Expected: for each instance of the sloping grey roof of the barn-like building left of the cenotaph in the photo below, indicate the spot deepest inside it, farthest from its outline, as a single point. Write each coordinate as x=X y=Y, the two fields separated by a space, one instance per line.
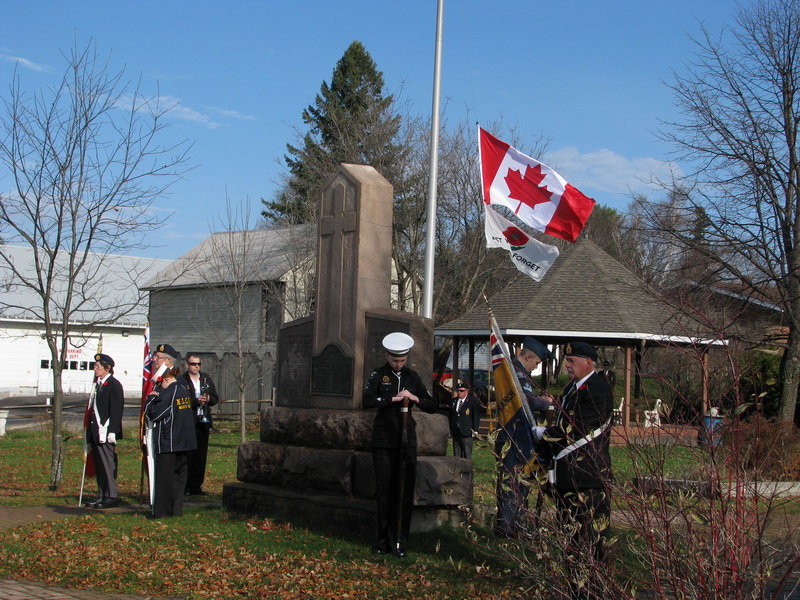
x=246 y=256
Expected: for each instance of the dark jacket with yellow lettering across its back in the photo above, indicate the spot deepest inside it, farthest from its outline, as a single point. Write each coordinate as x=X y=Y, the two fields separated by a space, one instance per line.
x=170 y=409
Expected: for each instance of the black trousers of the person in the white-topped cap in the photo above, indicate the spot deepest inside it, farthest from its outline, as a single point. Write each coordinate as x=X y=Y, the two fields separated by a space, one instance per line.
x=390 y=471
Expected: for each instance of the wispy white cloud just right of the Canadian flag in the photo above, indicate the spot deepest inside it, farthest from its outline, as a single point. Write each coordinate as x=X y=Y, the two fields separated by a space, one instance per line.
x=607 y=171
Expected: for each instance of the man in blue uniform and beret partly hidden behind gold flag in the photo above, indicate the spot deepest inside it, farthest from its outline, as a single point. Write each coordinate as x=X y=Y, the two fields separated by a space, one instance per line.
x=512 y=495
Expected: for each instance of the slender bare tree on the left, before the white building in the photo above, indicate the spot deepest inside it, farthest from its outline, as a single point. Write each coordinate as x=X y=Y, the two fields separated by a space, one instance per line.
x=85 y=167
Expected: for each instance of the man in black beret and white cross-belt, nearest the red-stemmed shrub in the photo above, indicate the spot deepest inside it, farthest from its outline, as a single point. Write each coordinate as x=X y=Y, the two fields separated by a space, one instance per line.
x=578 y=443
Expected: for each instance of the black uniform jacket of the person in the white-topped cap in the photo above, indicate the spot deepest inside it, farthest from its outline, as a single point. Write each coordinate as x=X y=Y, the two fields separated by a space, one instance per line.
x=382 y=385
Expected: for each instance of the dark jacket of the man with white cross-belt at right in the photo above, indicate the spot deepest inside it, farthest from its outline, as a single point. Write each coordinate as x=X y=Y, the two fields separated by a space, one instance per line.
x=582 y=411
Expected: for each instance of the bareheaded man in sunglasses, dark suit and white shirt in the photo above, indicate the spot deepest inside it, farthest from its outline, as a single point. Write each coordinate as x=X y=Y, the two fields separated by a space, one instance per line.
x=204 y=395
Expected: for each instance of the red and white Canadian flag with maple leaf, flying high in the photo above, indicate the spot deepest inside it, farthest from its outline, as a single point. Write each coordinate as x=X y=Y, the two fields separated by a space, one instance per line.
x=532 y=190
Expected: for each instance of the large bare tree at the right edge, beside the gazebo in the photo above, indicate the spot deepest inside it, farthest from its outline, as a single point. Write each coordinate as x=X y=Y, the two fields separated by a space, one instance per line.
x=740 y=101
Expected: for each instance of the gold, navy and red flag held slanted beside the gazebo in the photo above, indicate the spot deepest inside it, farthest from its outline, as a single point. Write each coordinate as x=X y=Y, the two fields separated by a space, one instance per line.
x=517 y=440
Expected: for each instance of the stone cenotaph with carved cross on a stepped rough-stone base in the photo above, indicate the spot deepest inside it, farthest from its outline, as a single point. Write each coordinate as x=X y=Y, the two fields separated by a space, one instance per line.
x=313 y=460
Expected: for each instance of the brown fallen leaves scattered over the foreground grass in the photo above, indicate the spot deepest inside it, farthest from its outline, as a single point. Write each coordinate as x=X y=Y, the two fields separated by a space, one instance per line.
x=165 y=560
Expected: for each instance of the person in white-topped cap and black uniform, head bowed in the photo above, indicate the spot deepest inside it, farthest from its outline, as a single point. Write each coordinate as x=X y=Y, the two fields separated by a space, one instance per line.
x=393 y=389
